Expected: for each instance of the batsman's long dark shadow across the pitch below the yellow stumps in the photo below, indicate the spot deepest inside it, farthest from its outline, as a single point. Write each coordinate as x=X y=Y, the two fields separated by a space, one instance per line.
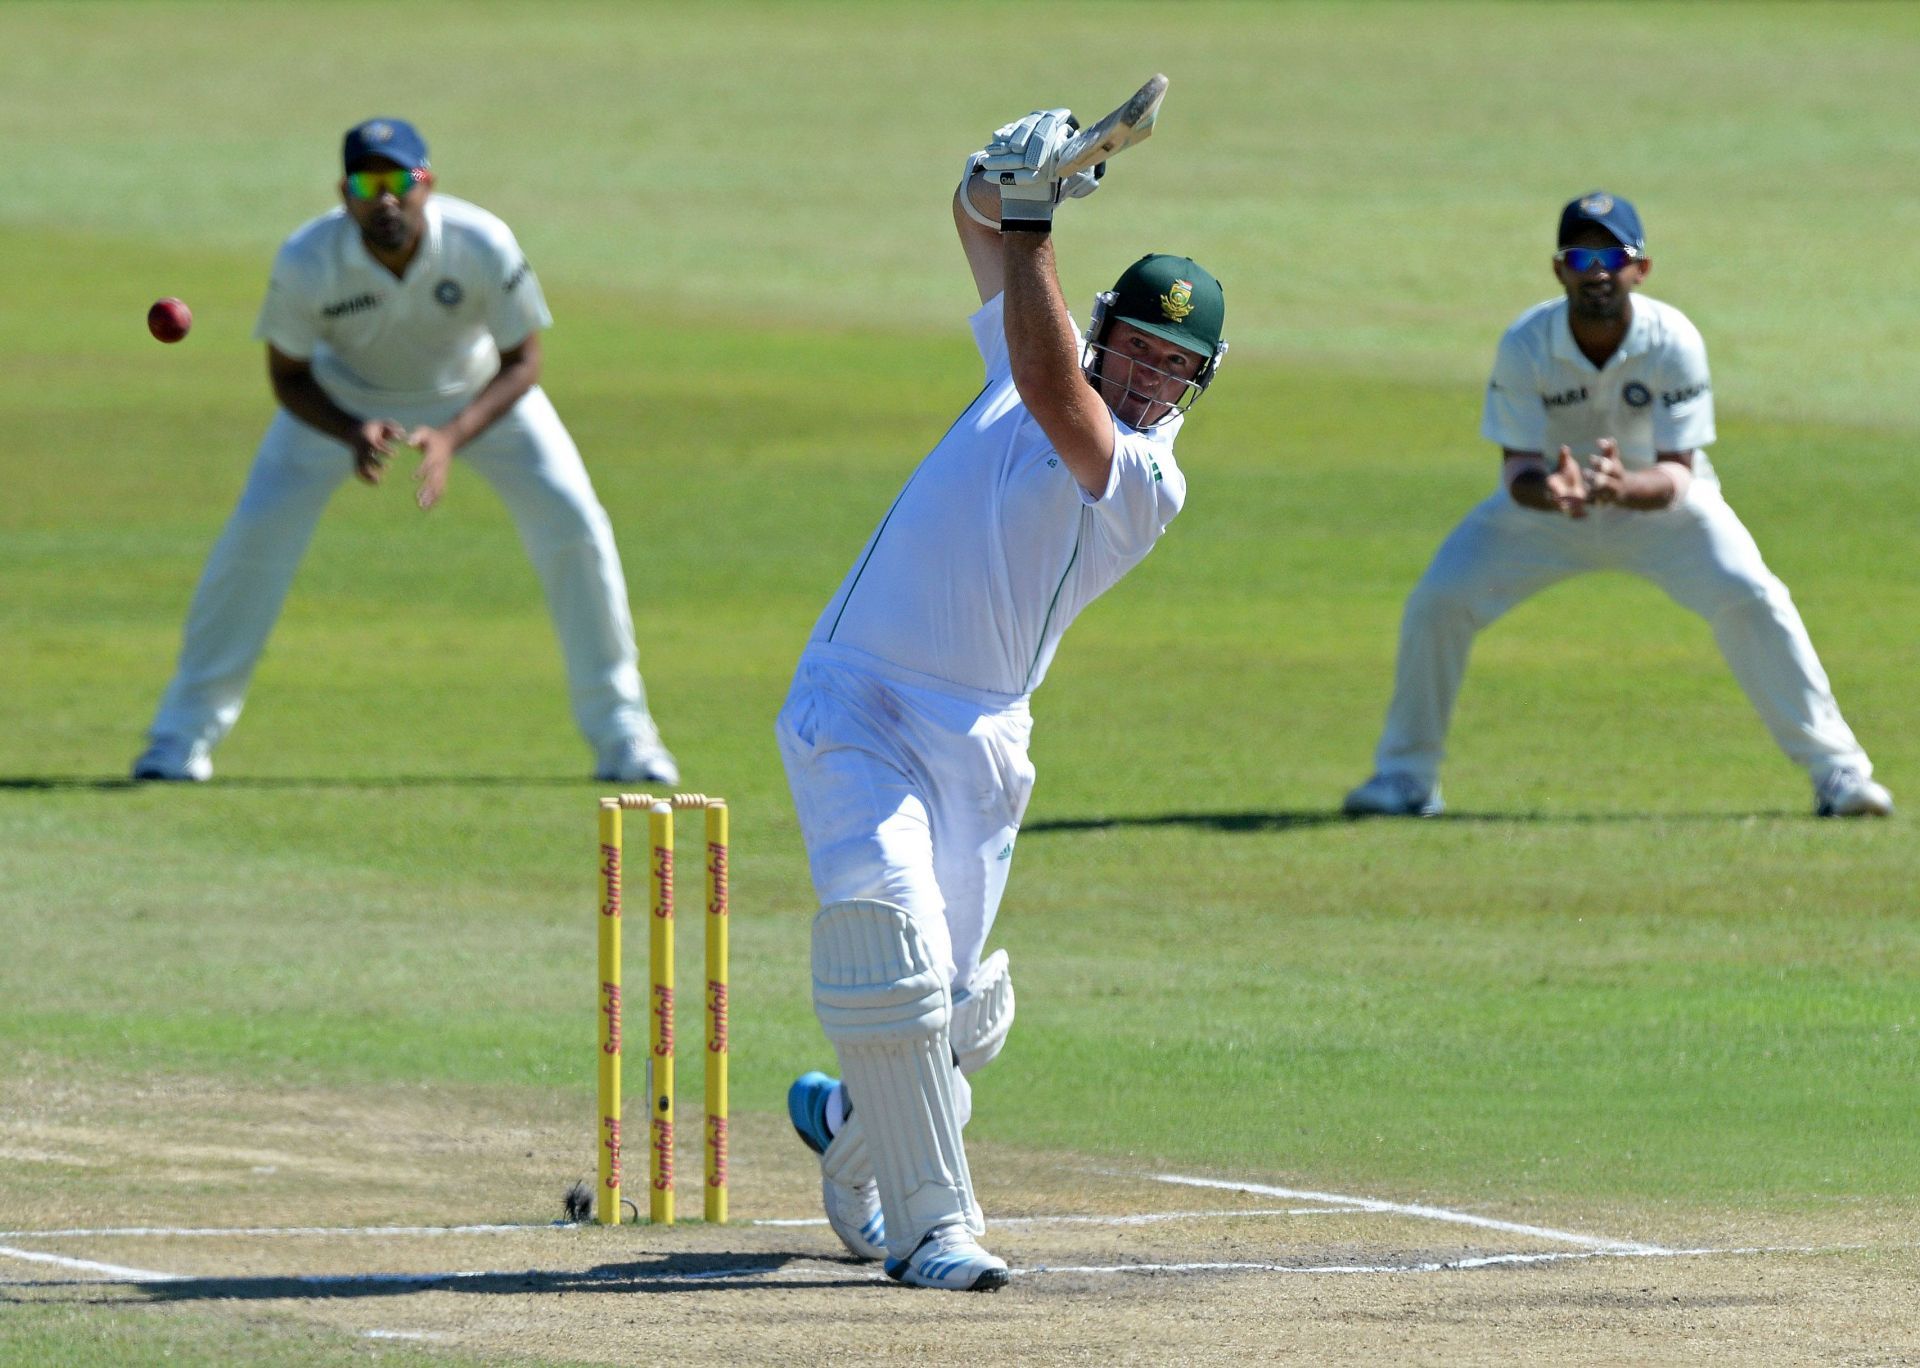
x=663 y=1275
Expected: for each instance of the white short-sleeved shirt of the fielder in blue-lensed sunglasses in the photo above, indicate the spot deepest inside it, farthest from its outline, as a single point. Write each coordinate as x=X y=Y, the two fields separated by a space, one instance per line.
x=1654 y=395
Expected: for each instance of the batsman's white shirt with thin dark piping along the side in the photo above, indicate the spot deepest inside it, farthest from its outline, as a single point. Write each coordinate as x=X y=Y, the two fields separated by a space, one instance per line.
x=994 y=549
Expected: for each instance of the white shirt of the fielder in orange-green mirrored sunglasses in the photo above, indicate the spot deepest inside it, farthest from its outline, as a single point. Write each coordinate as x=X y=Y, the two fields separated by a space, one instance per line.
x=377 y=341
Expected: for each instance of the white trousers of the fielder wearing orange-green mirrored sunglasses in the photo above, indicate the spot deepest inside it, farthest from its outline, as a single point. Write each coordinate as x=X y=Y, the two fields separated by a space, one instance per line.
x=531 y=462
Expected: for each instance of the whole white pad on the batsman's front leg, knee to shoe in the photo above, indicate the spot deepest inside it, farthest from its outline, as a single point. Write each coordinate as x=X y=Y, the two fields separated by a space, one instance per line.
x=886 y=1008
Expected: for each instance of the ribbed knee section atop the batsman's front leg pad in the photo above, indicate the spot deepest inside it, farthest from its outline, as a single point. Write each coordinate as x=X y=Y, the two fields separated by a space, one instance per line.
x=875 y=975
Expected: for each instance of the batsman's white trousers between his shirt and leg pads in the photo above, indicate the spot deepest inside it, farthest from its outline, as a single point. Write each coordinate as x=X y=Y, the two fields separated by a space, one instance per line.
x=907 y=794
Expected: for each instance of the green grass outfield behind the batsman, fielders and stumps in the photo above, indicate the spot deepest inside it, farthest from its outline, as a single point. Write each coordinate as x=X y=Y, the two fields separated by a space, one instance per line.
x=1629 y=973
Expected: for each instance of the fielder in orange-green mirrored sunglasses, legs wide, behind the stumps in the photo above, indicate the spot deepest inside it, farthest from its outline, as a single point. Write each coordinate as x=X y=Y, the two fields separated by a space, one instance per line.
x=408 y=320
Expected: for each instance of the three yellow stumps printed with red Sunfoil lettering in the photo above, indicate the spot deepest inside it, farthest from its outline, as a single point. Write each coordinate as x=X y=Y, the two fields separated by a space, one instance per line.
x=661 y=1004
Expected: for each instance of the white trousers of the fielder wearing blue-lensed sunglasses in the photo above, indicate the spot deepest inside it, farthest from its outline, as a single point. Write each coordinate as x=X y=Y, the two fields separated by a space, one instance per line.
x=1700 y=554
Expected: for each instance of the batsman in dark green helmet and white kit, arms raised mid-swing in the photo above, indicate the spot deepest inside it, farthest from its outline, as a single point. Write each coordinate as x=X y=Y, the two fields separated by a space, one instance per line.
x=905 y=733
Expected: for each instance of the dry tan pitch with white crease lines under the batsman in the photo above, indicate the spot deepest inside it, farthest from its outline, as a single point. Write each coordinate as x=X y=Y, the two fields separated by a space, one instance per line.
x=416 y=1215
